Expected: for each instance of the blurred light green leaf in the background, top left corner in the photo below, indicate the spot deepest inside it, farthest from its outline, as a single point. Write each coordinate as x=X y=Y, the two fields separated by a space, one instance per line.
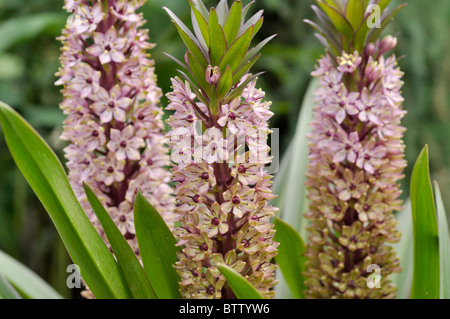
x=19 y=29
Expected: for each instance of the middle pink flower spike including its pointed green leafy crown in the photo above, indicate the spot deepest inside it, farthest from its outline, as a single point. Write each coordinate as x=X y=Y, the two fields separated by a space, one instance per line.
x=222 y=188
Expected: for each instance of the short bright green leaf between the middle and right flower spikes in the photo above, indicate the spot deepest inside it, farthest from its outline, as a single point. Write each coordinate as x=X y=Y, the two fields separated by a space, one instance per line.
x=290 y=257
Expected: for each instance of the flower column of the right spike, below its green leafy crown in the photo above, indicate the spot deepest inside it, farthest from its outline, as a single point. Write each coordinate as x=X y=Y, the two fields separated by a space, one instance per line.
x=356 y=160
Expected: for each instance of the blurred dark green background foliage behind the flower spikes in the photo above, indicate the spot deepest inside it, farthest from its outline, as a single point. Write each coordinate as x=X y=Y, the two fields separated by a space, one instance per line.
x=29 y=59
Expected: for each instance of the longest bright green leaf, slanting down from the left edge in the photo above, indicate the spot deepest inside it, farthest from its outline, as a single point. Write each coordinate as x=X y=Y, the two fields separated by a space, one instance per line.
x=46 y=176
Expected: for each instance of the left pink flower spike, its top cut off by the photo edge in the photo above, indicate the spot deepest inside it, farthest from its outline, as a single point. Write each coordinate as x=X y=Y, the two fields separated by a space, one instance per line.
x=114 y=122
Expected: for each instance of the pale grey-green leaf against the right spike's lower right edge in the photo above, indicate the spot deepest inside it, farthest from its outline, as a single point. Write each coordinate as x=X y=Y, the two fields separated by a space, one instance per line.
x=405 y=252
